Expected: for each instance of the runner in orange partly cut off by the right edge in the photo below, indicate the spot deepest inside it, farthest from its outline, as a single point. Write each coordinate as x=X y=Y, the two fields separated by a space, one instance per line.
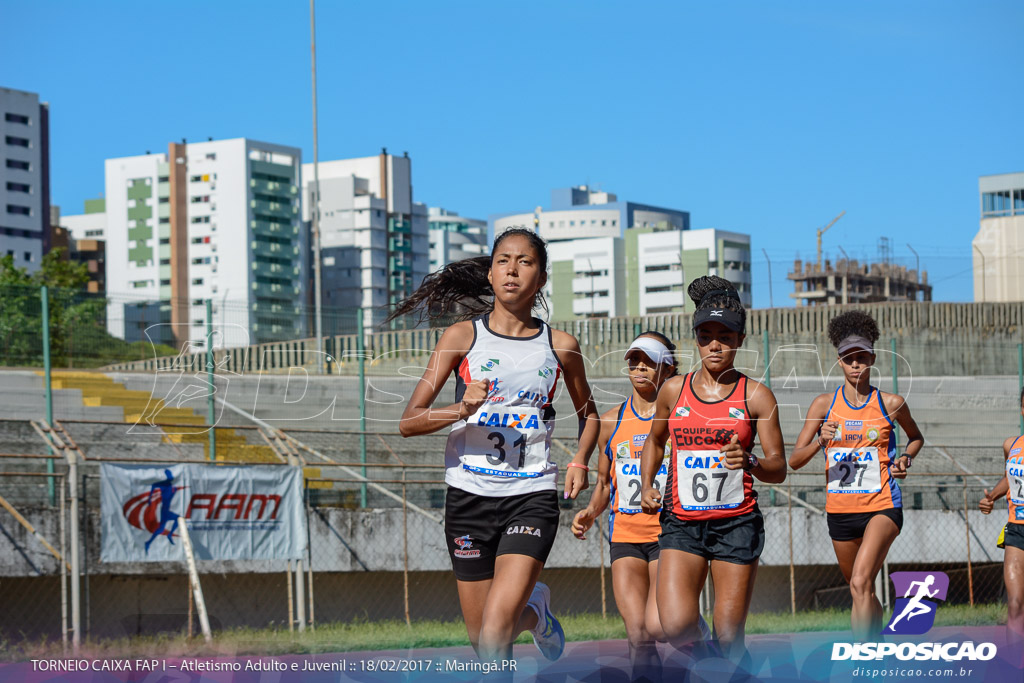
x=1012 y=486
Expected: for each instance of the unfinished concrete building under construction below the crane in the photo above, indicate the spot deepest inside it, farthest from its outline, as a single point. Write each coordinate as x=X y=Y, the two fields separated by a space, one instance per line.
x=851 y=282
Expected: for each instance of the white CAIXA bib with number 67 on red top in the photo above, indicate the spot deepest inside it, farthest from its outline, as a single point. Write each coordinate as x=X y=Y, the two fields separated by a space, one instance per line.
x=704 y=484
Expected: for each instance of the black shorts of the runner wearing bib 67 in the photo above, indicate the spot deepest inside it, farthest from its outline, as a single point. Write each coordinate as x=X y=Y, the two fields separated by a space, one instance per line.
x=738 y=540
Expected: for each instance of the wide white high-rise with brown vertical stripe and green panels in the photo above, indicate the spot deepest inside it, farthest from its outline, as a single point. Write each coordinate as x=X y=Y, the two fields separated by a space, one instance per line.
x=218 y=221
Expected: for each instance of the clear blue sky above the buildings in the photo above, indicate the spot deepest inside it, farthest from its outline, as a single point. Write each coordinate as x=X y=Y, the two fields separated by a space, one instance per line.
x=767 y=118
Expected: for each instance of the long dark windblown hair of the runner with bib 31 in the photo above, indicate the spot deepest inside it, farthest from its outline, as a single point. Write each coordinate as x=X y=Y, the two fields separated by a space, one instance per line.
x=460 y=291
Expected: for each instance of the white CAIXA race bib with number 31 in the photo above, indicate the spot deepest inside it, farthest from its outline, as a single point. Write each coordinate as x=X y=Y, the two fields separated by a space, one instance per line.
x=508 y=442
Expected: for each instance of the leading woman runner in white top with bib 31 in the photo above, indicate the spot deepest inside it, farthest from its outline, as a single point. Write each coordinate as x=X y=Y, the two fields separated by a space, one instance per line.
x=501 y=513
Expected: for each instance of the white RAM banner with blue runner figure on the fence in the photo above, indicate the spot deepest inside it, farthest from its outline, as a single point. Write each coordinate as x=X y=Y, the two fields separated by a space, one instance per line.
x=234 y=514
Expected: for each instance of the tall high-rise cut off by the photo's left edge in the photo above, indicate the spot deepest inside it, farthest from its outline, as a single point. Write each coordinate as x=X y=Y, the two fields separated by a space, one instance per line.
x=25 y=179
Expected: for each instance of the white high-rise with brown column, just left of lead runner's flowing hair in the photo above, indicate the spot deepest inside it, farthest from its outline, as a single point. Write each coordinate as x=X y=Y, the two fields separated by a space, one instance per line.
x=374 y=238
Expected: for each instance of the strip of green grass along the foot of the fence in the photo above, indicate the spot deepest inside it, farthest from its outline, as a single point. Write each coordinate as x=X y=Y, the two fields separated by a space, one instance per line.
x=362 y=635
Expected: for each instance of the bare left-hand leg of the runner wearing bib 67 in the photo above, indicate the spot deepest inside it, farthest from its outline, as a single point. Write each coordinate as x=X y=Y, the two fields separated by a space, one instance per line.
x=680 y=579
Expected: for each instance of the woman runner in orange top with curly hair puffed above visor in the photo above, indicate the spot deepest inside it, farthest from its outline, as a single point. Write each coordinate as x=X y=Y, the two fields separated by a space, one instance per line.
x=856 y=426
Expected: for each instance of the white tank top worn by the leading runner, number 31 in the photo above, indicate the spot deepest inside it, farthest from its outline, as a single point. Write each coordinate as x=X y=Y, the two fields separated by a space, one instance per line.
x=504 y=449
